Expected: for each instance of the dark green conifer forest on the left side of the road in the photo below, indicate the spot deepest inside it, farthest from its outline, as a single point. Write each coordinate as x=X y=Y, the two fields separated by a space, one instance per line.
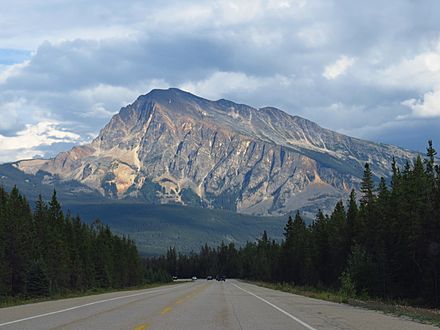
x=45 y=252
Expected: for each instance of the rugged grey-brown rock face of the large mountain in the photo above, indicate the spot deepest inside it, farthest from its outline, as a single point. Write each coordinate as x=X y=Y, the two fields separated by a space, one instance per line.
x=170 y=146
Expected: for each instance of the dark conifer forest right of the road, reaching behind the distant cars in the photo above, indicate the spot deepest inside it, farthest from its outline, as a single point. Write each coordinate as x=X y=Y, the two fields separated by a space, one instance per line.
x=384 y=243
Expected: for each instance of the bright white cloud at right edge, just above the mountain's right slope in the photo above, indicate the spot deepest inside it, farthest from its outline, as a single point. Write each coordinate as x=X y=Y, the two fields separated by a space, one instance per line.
x=428 y=106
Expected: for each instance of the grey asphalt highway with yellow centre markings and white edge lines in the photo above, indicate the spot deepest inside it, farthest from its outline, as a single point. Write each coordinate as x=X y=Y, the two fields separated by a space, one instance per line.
x=198 y=305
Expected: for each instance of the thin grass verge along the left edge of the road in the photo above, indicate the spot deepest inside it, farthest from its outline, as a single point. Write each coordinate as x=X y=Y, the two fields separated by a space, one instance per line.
x=23 y=300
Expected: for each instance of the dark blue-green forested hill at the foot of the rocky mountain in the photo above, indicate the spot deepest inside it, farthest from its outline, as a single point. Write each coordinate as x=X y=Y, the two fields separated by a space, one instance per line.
x=155 y=228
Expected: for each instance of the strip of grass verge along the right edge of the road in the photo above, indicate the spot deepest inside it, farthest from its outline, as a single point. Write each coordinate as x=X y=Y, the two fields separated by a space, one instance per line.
x=418 y=314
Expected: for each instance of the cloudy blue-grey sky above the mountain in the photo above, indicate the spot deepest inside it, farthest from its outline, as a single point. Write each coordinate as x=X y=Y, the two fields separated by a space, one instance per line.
x=368 y=69
